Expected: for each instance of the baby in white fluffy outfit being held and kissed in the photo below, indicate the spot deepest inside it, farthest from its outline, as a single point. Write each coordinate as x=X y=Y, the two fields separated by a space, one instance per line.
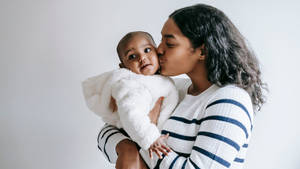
x=125 y=96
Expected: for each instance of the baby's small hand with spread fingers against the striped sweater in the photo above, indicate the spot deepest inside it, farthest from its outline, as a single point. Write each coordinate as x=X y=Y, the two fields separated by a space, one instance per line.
x=159 y=146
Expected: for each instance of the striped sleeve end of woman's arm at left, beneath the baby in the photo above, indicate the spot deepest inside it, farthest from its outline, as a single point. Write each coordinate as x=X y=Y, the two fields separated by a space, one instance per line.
x=108 y=138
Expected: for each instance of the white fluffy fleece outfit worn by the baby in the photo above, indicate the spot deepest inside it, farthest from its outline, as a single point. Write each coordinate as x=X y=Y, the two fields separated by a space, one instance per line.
x=135 y=96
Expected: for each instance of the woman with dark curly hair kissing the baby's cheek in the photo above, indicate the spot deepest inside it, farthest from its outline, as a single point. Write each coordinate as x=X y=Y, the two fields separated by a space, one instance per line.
x=211 y=126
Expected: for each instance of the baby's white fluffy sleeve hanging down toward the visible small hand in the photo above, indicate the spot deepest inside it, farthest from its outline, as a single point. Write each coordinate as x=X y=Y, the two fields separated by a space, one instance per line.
x=134 y=104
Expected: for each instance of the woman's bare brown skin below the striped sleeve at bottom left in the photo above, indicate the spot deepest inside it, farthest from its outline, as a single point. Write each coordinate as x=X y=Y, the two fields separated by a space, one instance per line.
x=128 y=156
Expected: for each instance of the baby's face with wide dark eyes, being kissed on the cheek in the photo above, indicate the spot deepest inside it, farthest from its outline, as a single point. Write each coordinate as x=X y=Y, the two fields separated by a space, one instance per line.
x=139 y=55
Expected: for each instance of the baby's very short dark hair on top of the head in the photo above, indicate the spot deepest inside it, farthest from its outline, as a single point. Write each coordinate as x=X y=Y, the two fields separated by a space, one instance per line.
x=128 y=37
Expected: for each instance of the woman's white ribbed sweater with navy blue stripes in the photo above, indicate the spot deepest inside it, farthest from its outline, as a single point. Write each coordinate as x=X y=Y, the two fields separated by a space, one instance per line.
x=208 y=131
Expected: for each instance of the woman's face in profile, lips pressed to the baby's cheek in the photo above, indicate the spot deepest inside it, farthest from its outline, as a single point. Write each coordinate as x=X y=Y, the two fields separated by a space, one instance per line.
x=176 y=53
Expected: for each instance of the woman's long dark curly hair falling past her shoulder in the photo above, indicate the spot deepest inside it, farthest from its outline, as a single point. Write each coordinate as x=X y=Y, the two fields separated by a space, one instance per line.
x=229 y=60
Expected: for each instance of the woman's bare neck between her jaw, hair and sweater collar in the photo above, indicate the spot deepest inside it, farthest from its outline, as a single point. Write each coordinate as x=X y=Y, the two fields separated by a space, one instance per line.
x=199 y=79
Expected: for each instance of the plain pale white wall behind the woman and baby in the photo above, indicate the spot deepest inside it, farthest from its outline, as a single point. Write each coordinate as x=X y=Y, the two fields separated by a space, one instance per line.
x=48 y=47
